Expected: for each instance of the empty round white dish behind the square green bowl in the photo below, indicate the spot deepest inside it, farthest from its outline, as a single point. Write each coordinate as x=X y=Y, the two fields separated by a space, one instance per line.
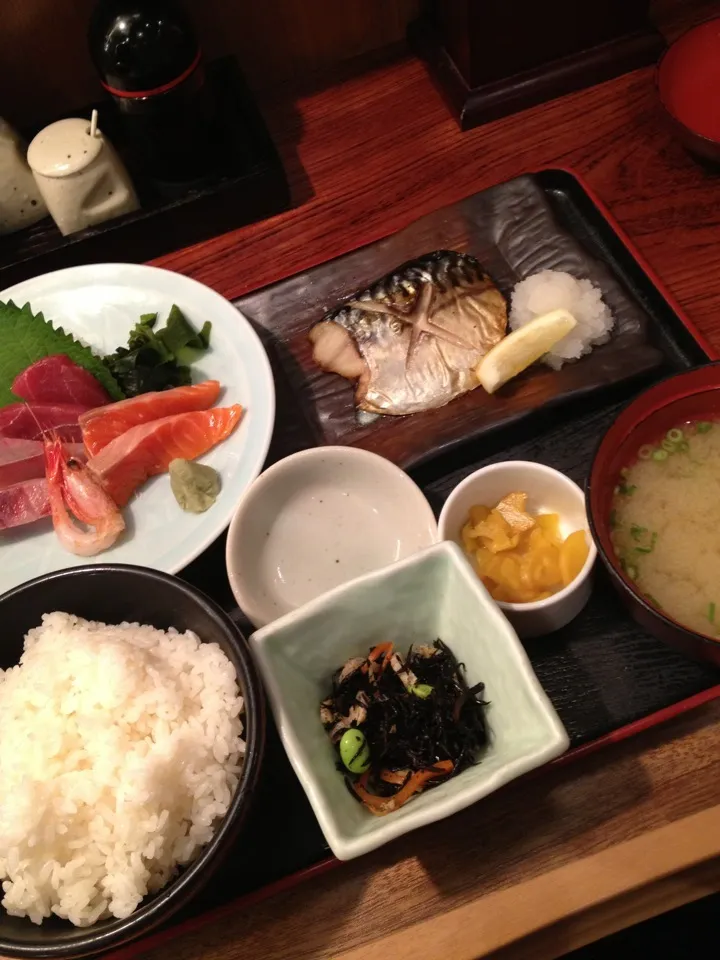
x=317 y=519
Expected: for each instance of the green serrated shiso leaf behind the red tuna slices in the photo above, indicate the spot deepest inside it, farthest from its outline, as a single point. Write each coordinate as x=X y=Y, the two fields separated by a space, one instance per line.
x=26 y=337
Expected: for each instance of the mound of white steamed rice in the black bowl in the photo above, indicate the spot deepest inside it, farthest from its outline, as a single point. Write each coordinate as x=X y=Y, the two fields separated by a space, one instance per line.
x=121 y=748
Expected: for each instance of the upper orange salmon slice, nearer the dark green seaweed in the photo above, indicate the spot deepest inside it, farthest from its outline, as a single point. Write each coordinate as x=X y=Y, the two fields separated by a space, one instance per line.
x=103 y=424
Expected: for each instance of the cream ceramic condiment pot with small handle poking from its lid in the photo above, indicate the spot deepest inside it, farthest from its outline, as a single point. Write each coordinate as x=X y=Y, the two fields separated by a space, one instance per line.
x=80 y=175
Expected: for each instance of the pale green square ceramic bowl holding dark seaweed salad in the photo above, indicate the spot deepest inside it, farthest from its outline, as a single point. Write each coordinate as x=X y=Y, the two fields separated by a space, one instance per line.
x=434 y=594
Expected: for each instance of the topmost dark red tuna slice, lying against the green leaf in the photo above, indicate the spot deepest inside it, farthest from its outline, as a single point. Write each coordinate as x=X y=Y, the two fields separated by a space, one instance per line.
x=57 y=379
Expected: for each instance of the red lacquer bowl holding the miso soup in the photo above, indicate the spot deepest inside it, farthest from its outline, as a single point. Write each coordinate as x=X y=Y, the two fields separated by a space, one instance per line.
x=693 y=395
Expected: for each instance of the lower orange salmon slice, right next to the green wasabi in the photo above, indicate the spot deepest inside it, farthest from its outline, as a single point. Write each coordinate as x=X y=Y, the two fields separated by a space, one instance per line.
x=147 y=449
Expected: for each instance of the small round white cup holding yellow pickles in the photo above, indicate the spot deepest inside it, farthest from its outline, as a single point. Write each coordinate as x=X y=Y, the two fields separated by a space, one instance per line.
x=549 y=491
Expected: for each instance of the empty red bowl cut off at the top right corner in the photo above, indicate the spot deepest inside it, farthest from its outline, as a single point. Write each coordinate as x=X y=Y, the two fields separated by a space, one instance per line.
x=688 y=84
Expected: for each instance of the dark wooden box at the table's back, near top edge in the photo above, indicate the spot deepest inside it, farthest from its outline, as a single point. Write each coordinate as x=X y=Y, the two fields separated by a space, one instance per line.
x=494 y=57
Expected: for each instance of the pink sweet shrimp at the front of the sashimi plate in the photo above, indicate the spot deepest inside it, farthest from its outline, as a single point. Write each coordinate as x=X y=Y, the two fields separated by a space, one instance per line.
x=74 y=493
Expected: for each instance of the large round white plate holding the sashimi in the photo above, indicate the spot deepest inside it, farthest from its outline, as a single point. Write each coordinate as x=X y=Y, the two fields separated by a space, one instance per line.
x=99 y=304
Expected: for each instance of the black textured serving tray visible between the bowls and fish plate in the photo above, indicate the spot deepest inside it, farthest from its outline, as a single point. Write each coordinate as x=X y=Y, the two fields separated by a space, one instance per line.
x=601 y=671
